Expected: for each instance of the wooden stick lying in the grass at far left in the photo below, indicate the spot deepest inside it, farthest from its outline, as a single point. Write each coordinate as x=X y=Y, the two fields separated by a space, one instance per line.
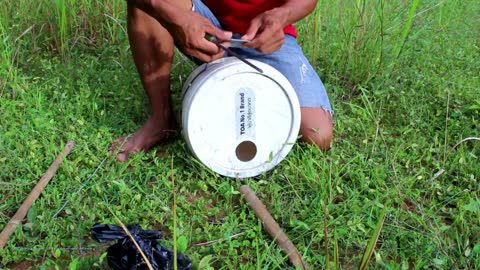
x=22 y=211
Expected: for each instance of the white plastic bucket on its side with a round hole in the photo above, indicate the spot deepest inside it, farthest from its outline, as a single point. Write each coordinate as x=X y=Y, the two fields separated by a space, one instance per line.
x=237 y=121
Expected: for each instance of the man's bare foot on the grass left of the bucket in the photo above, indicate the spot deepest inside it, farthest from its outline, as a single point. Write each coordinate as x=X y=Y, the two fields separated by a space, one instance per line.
x=149 y=135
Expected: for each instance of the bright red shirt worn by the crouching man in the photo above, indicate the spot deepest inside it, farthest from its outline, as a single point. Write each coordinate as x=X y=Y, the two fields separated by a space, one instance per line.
x=235 y=15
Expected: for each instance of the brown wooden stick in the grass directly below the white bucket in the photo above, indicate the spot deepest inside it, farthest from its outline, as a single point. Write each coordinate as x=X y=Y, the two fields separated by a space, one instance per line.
x=272 y=227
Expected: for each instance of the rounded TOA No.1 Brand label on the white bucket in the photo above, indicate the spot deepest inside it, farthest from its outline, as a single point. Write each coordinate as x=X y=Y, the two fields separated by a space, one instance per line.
x=245 y=113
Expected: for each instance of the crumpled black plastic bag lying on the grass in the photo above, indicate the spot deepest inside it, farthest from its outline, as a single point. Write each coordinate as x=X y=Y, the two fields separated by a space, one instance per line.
x=124 y=255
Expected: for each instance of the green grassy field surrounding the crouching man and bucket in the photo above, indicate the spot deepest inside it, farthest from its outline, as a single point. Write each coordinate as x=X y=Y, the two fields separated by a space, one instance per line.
x=404 y=80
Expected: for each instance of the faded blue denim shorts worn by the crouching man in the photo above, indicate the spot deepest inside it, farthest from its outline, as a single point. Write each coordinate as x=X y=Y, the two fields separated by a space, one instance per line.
x=289 y=60
